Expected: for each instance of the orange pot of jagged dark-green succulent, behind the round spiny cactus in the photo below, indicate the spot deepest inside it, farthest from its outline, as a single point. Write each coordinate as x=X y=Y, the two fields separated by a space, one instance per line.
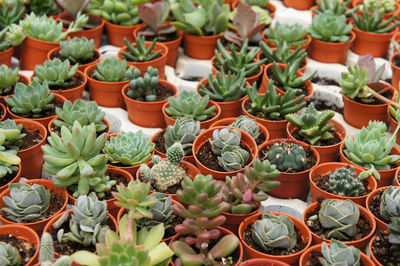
x=328 y=153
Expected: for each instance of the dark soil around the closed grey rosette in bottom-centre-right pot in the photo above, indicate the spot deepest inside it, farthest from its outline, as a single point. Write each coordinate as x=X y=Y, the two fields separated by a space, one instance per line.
x=300 y=245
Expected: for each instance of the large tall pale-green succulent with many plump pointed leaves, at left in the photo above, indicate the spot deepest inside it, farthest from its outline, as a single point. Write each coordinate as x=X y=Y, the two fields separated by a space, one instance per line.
x=75 y=160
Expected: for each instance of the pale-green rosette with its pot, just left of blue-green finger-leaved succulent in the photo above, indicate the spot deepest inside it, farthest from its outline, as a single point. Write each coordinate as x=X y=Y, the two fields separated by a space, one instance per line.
x=106 y=80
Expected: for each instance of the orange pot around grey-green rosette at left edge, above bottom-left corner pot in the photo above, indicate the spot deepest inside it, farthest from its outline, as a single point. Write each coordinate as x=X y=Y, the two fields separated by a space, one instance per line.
x=37 y=226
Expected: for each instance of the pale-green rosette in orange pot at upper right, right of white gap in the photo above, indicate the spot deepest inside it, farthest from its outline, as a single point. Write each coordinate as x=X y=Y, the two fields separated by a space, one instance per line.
x=331 y=38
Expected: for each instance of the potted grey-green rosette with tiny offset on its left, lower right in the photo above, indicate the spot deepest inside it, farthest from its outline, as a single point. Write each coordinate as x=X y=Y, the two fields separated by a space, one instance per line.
x=341 y=220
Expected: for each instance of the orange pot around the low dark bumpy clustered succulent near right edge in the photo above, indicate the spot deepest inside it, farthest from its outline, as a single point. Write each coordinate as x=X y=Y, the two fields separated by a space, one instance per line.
x=323 y=169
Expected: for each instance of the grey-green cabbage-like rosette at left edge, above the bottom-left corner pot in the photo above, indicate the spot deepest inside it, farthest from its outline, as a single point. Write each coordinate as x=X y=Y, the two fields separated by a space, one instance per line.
x=26 y=203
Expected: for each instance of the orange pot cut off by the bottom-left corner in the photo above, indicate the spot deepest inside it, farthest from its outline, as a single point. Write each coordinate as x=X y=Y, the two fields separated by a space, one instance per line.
x=23 y=233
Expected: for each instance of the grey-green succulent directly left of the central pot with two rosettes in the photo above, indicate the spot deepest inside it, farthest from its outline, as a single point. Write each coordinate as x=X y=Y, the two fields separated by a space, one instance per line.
x=184 y=131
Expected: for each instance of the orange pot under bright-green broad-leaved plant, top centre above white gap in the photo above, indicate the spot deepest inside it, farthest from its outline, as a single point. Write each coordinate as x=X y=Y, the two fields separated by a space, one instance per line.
x=200 y=47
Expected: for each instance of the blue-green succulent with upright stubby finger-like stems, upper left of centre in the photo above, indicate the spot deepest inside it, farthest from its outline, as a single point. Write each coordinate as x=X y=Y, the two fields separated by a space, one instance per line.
x=144 y=87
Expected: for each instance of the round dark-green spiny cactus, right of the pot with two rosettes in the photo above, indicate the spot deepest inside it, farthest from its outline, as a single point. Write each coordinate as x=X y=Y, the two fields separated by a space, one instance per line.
x=287 y=156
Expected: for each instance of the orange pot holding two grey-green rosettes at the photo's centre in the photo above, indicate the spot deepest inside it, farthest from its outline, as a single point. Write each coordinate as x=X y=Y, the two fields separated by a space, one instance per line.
x=246 y=139
